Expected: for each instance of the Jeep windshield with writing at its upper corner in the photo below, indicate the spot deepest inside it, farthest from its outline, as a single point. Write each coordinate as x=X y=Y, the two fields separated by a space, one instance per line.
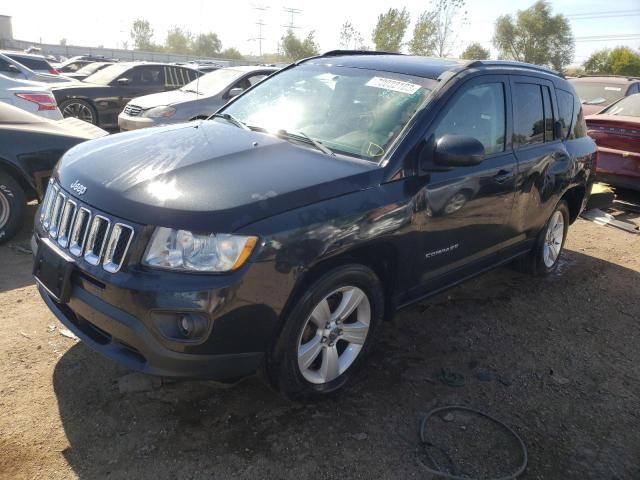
x=352 y=111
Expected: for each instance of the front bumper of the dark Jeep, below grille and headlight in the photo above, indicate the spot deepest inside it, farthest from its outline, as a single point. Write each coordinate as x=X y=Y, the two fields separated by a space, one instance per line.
x=115 y=315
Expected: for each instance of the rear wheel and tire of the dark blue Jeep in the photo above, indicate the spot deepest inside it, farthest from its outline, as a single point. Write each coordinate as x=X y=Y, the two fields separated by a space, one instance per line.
x=543 y=259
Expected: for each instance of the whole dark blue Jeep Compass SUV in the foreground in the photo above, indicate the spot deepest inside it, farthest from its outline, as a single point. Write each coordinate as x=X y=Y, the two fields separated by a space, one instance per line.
x=277 y=235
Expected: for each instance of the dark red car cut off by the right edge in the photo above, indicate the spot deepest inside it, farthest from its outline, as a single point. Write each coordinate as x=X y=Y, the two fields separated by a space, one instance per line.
x=616 y=131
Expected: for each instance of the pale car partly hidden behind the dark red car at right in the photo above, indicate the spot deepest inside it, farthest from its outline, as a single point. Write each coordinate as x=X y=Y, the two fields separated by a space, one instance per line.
x=598 y=92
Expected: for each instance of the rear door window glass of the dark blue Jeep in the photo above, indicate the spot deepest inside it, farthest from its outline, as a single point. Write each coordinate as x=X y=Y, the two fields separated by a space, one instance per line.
x=529 y=114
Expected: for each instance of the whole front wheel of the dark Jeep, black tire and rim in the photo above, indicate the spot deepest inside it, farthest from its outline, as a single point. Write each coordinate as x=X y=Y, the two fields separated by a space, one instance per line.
x=301 y=336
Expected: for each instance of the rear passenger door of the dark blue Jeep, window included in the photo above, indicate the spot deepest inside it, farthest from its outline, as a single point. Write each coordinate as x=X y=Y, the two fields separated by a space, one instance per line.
x=543 y=161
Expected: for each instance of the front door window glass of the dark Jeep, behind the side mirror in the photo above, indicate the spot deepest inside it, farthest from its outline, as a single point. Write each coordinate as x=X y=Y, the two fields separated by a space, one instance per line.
x=479 y=113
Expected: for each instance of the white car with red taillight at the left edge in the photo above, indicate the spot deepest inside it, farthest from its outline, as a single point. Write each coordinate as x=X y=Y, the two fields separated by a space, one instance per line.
x=34 y=97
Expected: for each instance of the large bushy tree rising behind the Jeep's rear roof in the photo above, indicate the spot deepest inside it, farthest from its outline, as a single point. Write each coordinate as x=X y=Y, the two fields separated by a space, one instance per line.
x=535 y=36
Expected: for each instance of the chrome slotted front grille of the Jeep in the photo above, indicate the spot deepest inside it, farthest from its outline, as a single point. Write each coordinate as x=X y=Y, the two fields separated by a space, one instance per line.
x=86 y=234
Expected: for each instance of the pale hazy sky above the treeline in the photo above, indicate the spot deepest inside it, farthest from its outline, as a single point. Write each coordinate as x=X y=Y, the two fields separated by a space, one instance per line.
x=91 y=23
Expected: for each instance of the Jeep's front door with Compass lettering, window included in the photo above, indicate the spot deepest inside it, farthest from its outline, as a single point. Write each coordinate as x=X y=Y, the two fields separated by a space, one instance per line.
x=463 y=211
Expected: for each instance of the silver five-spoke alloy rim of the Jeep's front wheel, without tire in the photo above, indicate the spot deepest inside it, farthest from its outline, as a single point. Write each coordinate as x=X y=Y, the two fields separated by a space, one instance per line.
x=334 y=334
